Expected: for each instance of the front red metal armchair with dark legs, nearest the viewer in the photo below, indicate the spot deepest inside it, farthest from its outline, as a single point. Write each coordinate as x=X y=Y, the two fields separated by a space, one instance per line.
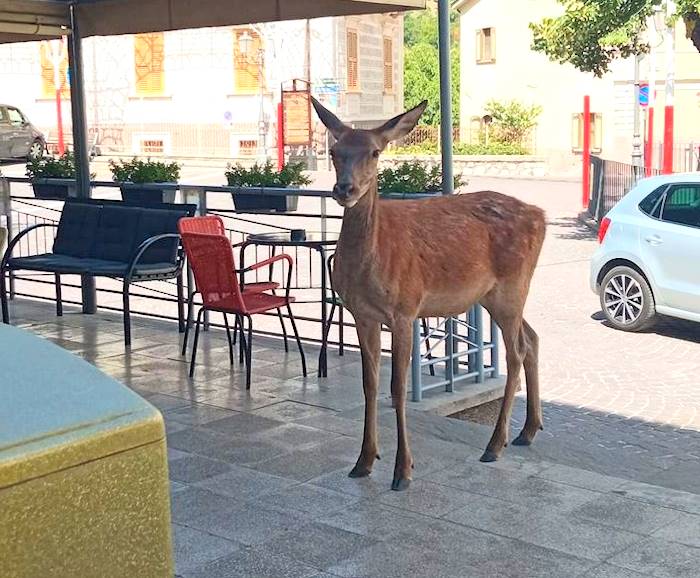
x=210 y=256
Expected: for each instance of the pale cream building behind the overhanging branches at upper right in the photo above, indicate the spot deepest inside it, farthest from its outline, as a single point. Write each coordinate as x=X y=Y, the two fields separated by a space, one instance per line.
x=498 y=63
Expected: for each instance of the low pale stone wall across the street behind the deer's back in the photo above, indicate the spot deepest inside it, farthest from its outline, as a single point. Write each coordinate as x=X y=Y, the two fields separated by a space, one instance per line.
x=481 y=165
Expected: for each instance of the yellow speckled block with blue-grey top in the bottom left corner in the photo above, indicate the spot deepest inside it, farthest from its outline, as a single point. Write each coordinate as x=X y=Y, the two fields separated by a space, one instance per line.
x=83 y=470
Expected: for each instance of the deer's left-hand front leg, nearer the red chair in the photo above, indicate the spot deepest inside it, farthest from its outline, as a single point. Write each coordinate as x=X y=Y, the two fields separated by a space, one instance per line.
x=368 y=333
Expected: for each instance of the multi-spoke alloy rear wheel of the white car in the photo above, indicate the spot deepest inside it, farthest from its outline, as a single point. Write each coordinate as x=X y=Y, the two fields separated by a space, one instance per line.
x=626 y=299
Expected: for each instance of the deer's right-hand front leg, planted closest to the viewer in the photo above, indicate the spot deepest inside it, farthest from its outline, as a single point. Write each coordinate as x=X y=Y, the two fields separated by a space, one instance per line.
x=401 y=345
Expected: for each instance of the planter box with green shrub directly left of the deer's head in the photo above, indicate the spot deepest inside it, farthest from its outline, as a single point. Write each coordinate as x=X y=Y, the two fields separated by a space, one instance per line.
x=266 y=175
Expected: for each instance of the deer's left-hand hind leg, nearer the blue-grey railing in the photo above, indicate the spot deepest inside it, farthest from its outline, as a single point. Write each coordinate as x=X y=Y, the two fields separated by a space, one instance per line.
x=515 y=352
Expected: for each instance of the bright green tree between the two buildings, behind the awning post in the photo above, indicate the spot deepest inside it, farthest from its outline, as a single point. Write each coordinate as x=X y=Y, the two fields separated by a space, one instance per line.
x=421 y=64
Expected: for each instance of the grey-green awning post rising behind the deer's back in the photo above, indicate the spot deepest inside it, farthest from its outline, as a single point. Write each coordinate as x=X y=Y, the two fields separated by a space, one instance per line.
x=445 y=96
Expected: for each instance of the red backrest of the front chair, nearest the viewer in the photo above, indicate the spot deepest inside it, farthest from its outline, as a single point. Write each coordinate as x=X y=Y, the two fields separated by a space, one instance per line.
x=211 y=258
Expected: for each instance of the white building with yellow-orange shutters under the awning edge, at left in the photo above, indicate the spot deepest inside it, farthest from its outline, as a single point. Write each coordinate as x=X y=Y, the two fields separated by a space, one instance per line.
x=205 y=92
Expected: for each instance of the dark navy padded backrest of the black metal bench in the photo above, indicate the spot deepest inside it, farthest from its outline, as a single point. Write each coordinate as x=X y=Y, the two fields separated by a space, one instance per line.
x=113 y=231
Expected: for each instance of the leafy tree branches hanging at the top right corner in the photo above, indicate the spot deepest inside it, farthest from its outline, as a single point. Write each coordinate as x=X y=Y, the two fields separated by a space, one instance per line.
x=592 y=33
